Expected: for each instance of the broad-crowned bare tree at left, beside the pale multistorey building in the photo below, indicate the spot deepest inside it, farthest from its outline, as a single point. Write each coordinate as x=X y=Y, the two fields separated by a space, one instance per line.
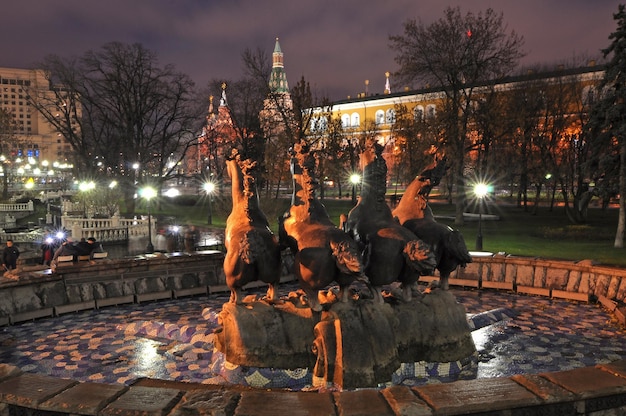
x=116 y=107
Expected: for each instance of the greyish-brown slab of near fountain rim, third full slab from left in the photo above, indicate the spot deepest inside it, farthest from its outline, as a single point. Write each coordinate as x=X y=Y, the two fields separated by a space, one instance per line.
x=144 y=401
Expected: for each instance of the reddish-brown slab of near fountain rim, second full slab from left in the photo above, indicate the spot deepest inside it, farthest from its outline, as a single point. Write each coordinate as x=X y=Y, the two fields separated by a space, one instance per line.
x=84 y=398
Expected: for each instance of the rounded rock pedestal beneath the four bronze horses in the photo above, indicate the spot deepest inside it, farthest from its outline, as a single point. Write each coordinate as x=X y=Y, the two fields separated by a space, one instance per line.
x=354 y=344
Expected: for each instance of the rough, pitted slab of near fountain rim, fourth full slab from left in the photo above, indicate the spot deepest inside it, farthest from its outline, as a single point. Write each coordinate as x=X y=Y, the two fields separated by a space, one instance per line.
x=207 y=402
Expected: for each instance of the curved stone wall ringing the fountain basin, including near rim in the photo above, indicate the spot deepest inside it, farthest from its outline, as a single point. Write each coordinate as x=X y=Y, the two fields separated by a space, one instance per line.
x=595 y=390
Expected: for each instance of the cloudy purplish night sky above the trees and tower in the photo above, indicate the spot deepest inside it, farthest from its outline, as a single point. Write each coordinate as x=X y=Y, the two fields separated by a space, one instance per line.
x=335 y=44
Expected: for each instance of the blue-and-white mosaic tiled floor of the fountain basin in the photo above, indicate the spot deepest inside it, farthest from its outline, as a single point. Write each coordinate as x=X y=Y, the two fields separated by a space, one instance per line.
x=172 y=340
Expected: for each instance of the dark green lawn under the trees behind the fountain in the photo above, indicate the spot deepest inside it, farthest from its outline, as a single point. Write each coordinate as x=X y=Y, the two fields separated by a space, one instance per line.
x=547 y=234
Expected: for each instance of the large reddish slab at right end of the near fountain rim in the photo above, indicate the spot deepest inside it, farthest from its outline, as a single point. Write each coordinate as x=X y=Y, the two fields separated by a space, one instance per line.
x=588 y=382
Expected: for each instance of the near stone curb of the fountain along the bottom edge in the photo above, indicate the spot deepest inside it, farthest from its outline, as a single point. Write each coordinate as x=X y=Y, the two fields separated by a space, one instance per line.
x=600 y=389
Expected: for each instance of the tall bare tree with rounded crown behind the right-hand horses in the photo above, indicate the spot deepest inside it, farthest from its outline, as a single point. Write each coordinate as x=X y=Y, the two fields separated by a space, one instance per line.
x=458 y=54
